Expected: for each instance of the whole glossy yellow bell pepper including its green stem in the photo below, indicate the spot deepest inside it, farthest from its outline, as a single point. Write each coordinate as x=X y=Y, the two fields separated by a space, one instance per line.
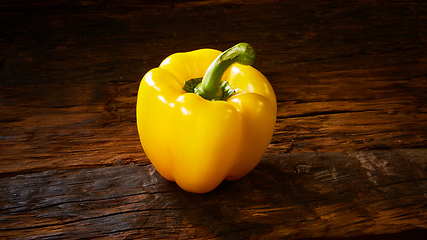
x=202 y=131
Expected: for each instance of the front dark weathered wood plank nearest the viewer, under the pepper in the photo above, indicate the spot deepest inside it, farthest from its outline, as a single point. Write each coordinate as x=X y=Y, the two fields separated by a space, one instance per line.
x=292 y=196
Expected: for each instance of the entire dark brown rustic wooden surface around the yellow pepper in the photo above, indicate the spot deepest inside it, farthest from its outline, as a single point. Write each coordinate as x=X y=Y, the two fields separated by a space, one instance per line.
x=348 y=158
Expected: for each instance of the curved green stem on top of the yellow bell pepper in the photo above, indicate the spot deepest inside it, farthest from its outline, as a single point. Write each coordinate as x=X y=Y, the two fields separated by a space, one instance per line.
x=210 y=87
